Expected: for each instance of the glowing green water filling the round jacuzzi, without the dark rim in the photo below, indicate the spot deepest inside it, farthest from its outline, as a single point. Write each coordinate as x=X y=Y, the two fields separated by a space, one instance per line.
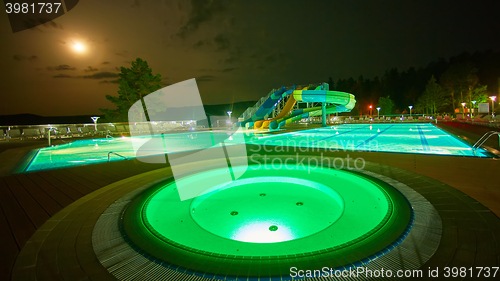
x=270 y=212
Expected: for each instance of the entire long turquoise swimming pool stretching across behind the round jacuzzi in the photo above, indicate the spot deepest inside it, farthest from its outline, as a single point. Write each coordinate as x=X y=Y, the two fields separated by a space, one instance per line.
x=401 y=138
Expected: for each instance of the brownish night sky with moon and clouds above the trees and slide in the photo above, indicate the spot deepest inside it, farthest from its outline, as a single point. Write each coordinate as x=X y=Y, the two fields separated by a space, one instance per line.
x=237 y=50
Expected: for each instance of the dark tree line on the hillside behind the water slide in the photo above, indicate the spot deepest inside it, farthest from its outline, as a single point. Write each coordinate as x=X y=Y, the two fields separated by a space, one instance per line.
x=441 y=86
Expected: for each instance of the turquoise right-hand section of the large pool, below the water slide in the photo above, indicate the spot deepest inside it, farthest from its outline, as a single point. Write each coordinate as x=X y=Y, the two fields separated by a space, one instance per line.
x=423 y=138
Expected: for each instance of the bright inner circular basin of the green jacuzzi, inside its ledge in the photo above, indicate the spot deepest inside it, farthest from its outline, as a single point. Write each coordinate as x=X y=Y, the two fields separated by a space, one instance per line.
x=266 y=209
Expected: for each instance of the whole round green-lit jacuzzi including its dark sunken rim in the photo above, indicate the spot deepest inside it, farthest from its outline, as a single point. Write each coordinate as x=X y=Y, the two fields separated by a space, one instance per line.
x=267 y=221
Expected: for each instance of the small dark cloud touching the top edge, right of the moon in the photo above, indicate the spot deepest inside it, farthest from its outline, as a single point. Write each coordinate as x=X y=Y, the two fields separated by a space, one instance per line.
x=201 y=11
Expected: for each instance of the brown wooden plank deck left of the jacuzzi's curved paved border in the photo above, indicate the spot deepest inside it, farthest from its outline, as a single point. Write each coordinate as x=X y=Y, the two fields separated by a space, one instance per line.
x=27 y=201
